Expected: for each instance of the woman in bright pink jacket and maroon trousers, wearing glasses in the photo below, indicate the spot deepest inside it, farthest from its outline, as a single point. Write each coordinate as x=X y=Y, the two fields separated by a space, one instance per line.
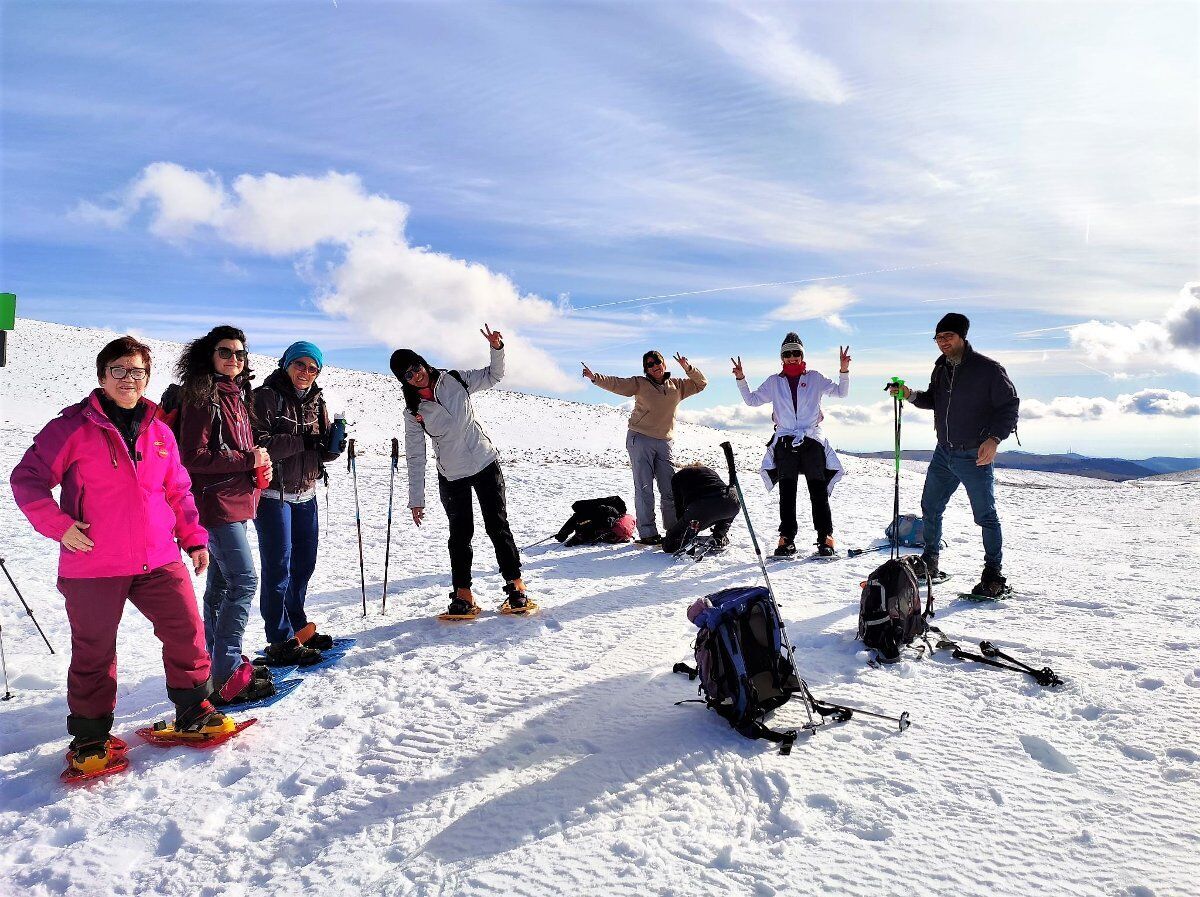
x=124 y=515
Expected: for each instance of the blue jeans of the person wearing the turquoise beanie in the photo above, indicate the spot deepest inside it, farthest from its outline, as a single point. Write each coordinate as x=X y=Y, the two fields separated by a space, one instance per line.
x=287 y=546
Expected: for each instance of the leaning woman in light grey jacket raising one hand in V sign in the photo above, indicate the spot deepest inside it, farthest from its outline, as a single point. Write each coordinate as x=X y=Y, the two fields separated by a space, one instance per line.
x=439 y=406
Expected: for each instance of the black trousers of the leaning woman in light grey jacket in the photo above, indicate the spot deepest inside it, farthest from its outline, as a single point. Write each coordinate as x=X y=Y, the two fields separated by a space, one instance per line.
x=489 y=487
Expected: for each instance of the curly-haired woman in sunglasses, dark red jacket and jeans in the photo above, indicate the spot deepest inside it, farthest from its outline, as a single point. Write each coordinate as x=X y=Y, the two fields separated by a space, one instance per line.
x=218 y=448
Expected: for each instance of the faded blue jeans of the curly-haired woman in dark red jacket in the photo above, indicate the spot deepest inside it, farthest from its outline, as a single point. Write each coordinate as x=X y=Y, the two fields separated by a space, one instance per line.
x=227 y=598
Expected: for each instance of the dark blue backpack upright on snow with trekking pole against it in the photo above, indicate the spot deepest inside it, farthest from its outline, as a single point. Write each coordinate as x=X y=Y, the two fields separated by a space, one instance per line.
x=745 y=660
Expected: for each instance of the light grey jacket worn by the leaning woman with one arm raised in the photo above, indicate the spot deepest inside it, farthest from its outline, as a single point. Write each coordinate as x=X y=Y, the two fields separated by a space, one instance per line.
x=460 y=446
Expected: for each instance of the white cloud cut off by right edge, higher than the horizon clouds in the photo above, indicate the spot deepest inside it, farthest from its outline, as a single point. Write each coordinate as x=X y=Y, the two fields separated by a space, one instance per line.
x=1174 y=341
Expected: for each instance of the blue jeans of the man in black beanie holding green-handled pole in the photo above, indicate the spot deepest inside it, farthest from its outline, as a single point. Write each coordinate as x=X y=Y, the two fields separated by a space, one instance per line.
x=947 y=469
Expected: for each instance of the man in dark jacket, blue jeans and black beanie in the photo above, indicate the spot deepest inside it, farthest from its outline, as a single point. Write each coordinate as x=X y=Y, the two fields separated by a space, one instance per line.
x=975 y=410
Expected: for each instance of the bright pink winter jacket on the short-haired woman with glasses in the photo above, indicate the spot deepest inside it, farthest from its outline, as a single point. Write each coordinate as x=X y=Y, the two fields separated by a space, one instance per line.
x=140 y=515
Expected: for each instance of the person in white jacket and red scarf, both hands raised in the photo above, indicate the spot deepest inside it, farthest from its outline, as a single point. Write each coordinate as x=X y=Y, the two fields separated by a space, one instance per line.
x=799 y=448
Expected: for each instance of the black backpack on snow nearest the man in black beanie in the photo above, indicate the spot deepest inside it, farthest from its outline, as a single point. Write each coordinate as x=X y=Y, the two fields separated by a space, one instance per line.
x=890 y=612
